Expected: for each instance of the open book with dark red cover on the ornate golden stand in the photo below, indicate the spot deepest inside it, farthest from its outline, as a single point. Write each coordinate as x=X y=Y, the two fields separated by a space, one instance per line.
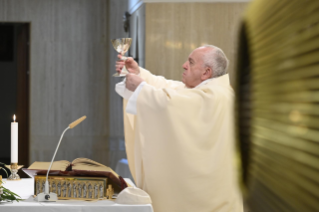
x=78 y=167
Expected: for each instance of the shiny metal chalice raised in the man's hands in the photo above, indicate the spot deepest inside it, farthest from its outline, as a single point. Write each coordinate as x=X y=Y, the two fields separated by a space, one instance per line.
x=121 y=45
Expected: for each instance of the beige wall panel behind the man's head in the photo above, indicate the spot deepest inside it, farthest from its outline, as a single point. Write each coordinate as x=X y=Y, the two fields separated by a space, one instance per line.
x=173 y=30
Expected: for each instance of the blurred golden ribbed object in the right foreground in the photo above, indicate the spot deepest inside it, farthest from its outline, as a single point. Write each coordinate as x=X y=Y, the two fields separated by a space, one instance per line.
x=277 y=105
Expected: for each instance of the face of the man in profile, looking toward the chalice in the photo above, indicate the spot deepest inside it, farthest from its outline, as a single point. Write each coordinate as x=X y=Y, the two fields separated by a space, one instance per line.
x=194 y=68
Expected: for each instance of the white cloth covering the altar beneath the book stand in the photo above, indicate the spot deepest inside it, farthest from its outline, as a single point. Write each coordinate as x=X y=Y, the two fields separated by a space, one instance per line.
x=25 y=187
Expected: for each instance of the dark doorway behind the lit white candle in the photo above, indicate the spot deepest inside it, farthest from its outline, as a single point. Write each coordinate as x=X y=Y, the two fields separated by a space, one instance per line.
x=14 y=90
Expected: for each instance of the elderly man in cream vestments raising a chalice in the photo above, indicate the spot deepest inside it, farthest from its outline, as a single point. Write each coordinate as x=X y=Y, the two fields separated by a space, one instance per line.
x=179 y=135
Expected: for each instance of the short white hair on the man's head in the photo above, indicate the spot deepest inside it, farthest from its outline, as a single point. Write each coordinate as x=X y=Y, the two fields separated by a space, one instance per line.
x=216 y=59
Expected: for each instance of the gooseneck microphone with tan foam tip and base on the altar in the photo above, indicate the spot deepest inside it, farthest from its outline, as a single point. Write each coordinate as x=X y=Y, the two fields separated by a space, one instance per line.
x=47 y=196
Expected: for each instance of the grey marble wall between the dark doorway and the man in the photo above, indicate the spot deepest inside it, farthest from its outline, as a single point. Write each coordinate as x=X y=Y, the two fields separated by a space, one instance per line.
x=71 y=63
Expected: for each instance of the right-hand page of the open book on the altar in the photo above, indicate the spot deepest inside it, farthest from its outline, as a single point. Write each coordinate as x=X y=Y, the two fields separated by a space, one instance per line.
x=91 y=165
